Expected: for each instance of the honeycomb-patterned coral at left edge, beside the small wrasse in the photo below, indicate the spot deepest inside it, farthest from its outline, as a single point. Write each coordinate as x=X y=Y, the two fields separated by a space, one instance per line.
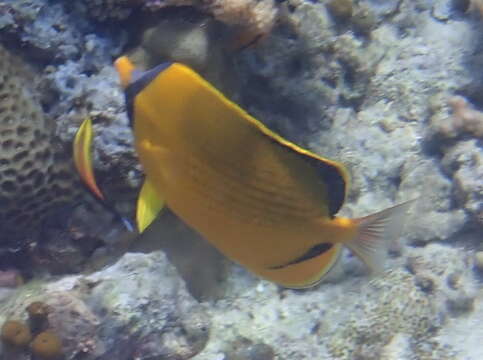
x=34 y=180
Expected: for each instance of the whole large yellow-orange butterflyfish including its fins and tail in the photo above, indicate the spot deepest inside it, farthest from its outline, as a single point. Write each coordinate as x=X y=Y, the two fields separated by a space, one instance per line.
x=263 y=201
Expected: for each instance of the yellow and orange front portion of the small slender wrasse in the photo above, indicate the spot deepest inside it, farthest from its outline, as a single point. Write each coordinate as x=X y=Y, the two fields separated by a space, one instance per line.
x=82 y=149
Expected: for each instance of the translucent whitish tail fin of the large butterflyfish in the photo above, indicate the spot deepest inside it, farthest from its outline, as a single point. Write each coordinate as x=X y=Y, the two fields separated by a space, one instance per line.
x=375 y=232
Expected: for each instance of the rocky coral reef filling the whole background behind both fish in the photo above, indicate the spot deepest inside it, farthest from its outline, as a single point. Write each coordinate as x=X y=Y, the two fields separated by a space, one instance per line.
x=393 y=89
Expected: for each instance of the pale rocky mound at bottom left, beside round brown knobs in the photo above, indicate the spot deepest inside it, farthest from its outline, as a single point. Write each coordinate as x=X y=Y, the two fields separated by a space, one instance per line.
x=91 y=315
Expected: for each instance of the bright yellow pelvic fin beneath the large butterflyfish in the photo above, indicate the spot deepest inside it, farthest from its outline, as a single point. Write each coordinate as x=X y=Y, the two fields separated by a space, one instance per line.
x=148 y=206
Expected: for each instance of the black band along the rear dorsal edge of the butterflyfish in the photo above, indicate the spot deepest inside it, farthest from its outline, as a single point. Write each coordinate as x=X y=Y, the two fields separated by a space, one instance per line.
x=330 y=175
